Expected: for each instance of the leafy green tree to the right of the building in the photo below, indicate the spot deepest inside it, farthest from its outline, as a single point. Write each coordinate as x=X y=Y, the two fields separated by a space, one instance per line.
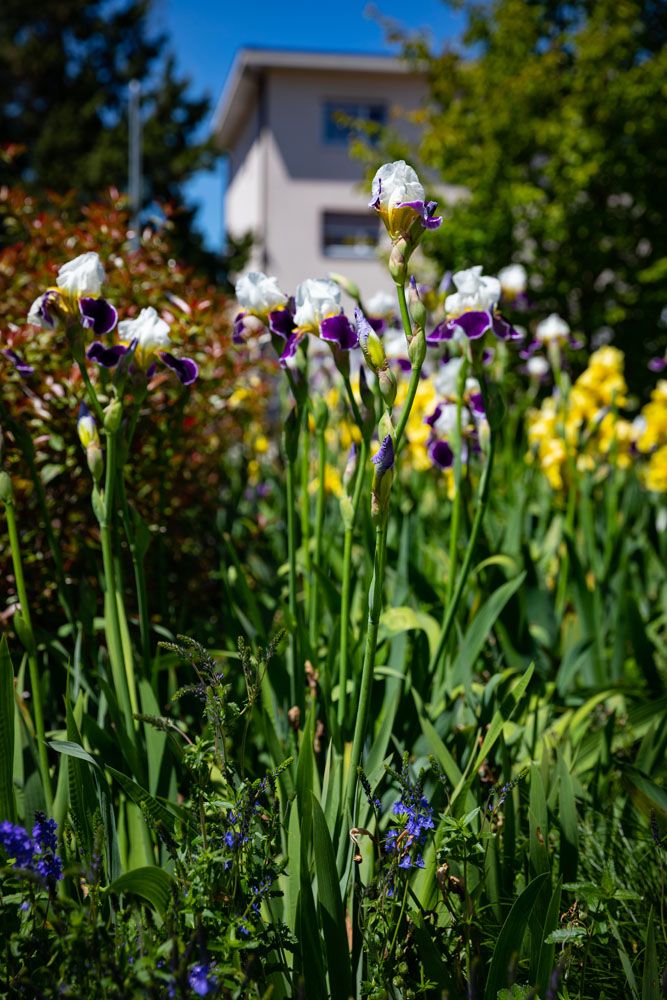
x=553 y=116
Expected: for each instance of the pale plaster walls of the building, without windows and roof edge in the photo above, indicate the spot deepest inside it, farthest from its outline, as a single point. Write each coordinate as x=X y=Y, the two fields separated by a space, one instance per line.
x=281 y=185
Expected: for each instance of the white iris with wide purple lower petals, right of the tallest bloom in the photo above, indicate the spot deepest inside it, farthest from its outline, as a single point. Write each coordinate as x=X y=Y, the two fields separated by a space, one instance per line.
x=471 y=309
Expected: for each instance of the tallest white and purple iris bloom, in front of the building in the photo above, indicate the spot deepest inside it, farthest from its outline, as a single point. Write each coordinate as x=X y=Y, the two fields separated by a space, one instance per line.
x=398 y=197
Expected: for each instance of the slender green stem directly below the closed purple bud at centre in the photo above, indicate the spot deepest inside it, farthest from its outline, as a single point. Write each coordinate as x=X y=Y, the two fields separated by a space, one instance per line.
x=374 y=610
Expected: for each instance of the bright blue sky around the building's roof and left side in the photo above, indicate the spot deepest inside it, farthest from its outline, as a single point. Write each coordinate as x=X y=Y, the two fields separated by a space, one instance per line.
x=205 y=34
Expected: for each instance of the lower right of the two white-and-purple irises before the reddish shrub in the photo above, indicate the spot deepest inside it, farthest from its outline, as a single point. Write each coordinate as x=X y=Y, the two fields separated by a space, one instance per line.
x=147 y=338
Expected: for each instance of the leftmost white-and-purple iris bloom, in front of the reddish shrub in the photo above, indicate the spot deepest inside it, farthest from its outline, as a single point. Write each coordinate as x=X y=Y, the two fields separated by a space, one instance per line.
x=76 y=294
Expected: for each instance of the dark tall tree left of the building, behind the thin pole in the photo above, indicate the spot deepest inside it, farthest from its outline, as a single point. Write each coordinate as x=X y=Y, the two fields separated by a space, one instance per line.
x=64 y=72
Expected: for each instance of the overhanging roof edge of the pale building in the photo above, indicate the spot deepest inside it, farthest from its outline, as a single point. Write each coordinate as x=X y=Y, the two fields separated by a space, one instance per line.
x=241 y=86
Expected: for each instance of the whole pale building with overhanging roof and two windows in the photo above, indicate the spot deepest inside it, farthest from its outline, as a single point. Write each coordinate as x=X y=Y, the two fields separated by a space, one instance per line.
x=284 y=121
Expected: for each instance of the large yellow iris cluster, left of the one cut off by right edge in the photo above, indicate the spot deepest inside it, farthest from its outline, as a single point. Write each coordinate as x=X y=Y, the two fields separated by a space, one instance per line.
x=582 y=429
